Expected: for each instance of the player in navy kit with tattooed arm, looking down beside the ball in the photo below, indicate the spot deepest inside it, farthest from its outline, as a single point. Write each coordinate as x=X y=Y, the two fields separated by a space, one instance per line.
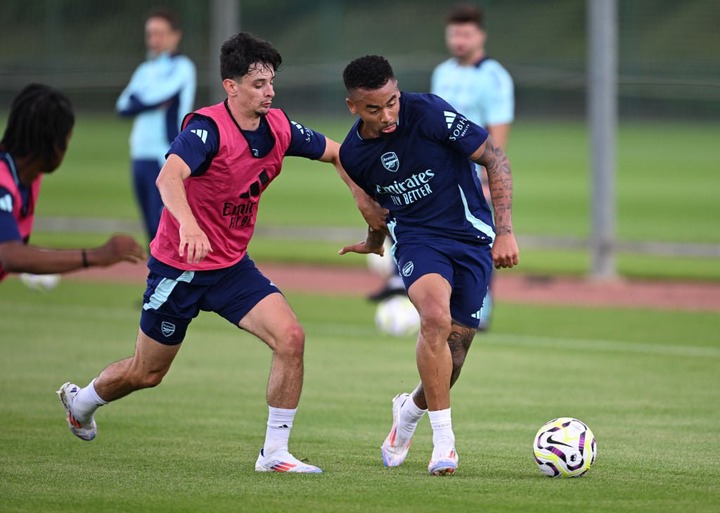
x=414 y=154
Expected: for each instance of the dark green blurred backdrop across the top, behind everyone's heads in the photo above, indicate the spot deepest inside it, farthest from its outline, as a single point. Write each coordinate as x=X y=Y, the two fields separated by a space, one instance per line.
x=669 y=50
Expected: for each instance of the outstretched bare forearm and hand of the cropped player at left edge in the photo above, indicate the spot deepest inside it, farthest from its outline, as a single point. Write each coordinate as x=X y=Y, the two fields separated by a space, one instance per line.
x=17 y=257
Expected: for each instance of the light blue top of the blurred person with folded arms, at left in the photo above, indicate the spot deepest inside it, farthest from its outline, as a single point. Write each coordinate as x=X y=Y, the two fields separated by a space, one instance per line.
x=160 y=93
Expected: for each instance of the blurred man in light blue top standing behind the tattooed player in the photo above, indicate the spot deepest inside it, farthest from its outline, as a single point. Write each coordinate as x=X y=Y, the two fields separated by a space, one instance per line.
x=480 y=88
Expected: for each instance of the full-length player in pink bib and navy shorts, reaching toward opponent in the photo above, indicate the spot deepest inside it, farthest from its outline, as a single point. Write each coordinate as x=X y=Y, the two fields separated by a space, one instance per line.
x=217 y=168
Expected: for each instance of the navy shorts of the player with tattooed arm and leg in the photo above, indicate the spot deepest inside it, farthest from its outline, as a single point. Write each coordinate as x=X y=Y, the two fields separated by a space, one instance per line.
x=467 y=267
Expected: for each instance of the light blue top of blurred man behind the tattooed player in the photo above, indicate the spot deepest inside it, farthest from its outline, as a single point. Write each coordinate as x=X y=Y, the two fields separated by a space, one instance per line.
x=483 y=92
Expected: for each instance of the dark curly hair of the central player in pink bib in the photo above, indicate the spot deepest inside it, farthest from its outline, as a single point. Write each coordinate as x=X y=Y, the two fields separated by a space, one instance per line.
x=239 y=53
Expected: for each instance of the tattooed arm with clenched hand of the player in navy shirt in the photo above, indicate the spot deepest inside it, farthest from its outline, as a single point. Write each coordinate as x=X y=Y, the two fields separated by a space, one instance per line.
x=505 y=251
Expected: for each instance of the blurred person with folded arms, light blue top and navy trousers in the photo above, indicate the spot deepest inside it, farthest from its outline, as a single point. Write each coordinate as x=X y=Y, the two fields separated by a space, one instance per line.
x=160 y=93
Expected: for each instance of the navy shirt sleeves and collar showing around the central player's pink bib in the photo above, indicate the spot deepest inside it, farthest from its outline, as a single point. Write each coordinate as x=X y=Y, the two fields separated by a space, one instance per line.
x=198 y=143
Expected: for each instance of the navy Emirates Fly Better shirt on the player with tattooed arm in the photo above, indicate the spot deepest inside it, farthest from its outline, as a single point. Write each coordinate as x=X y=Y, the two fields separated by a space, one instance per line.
x=422 y=174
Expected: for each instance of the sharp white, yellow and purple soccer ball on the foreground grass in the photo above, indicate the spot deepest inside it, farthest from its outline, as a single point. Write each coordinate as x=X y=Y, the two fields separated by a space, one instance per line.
x=564 y=447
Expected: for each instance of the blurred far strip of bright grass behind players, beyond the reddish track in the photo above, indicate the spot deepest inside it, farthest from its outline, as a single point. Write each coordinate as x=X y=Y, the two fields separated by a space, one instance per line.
x=666 y=191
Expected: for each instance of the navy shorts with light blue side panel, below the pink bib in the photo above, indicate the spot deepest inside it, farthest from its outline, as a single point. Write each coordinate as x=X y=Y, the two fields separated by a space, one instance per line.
x=174 y=297
